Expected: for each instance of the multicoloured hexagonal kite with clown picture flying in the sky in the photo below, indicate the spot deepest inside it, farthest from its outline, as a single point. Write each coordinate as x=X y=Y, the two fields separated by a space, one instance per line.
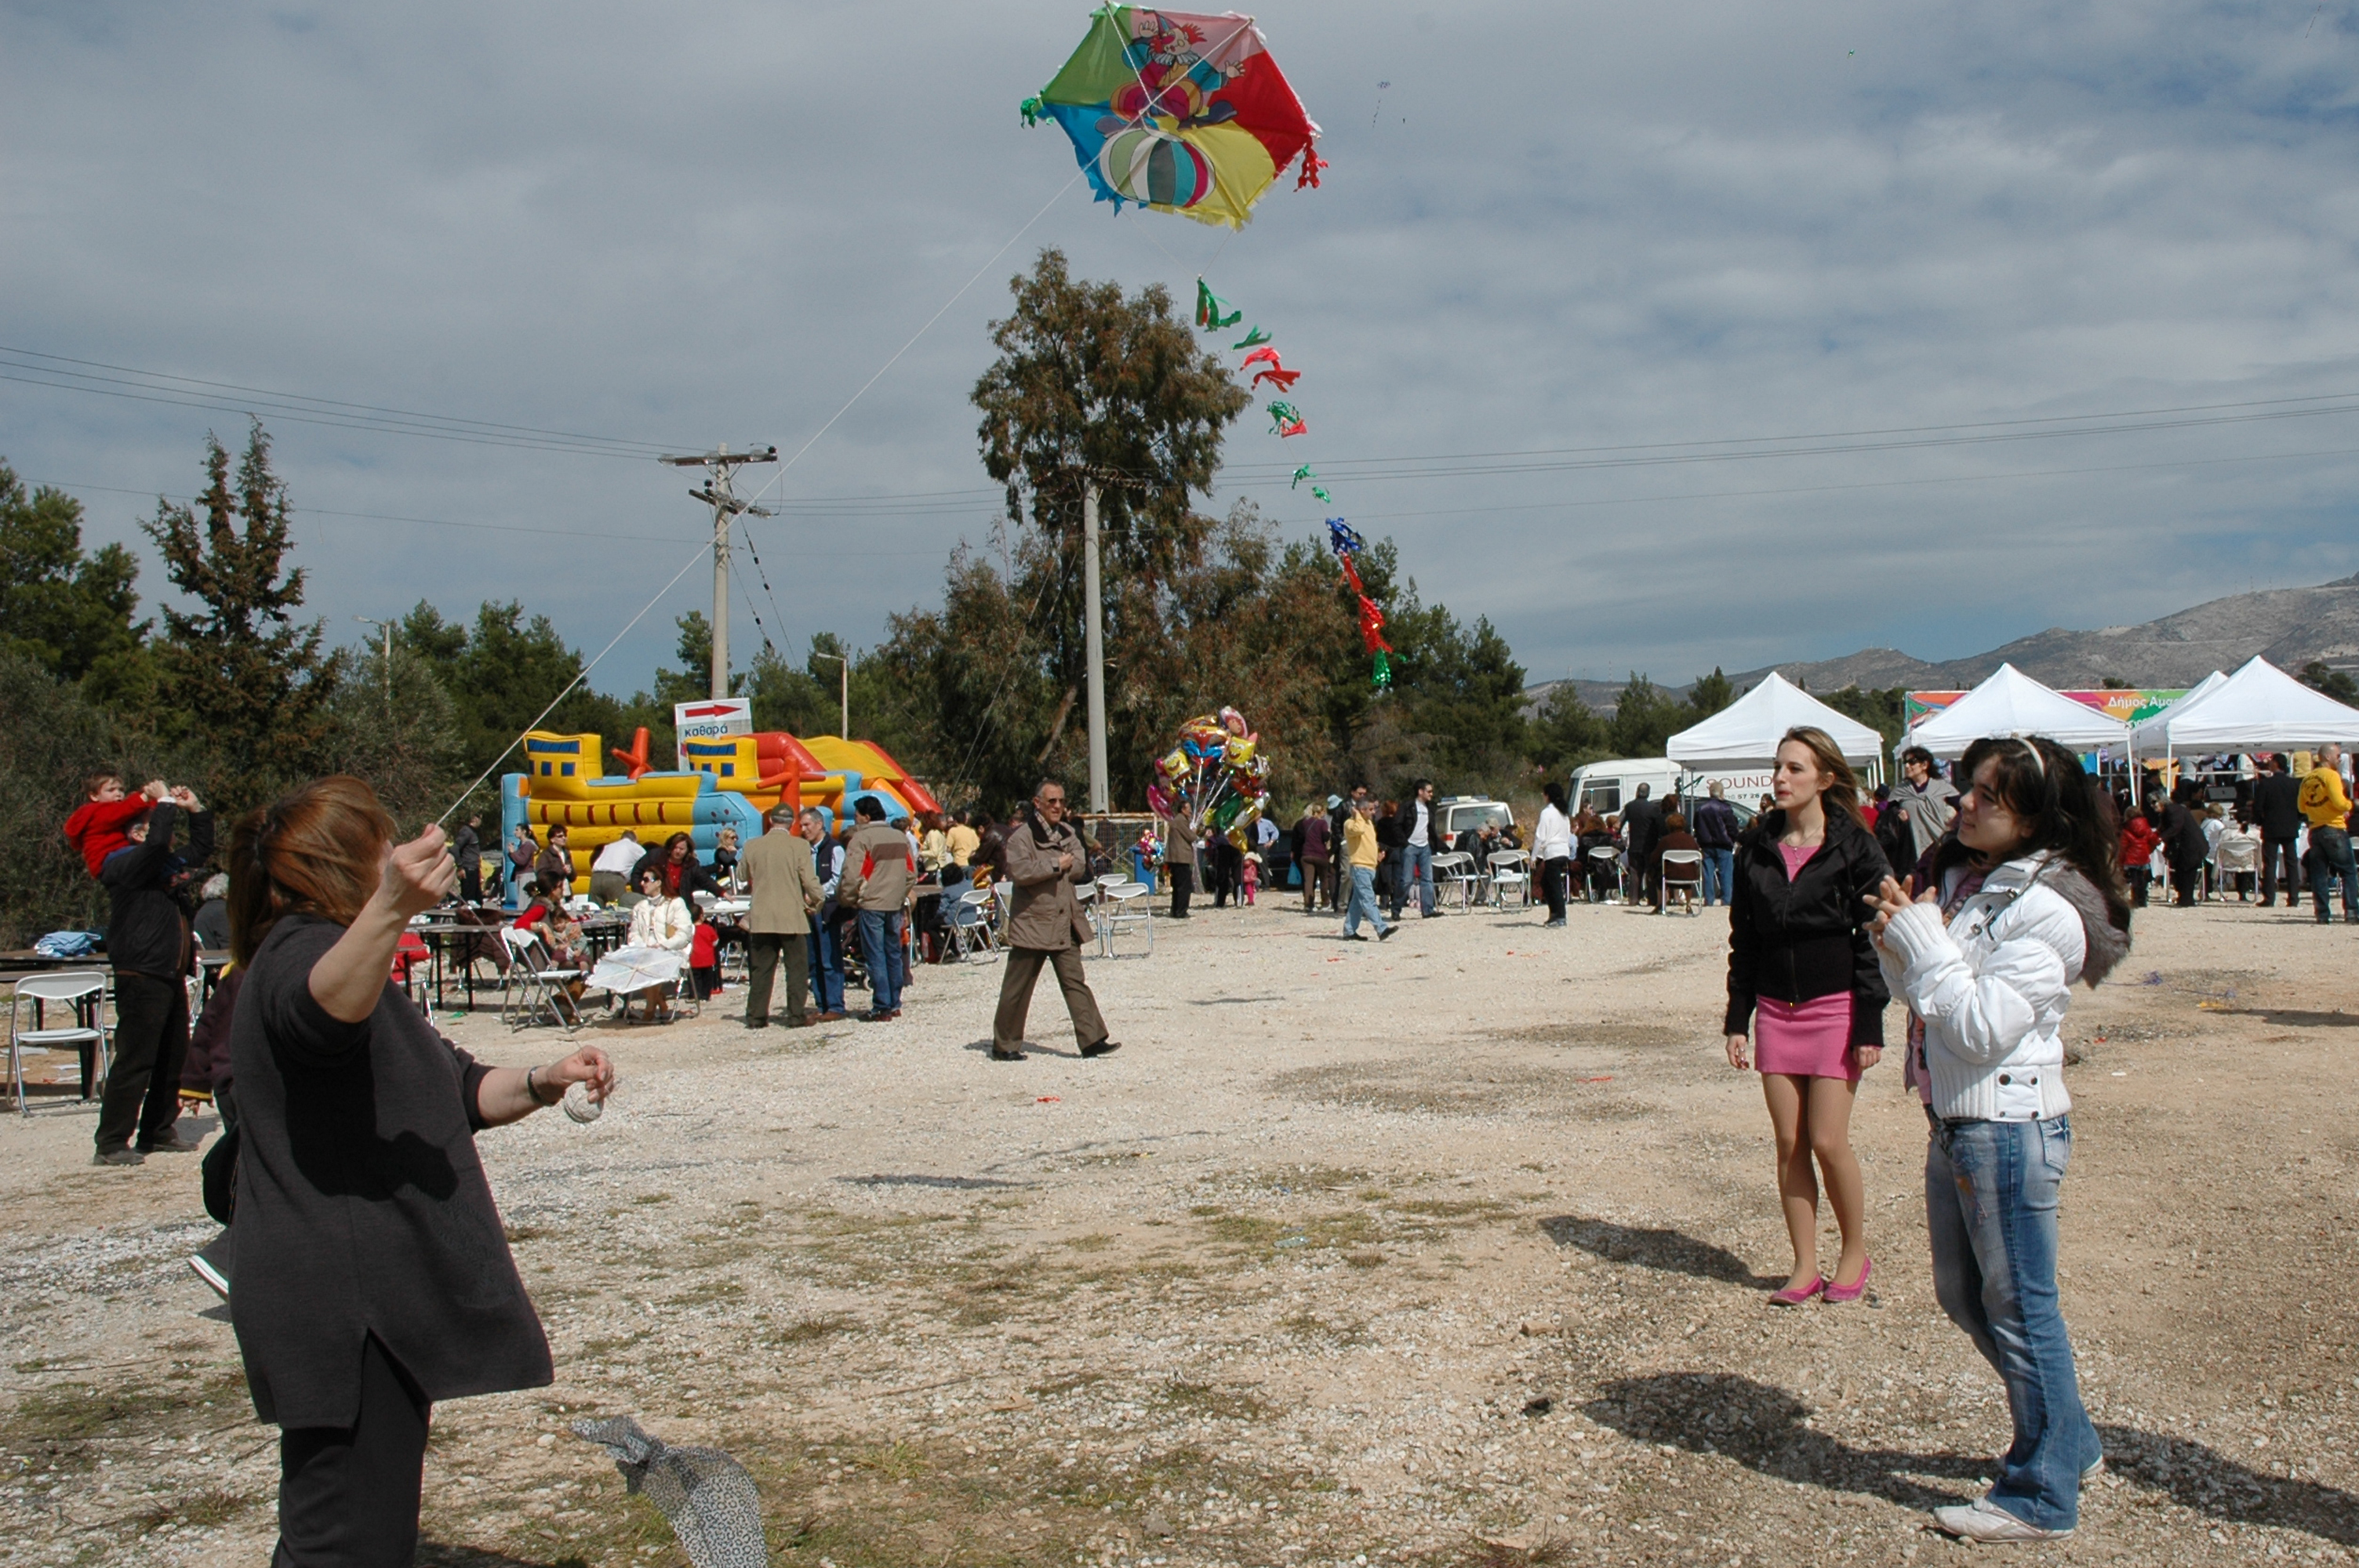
x=1178 y=112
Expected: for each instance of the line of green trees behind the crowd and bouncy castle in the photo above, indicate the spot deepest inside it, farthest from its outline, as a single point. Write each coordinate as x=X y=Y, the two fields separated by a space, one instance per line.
x=232 y=690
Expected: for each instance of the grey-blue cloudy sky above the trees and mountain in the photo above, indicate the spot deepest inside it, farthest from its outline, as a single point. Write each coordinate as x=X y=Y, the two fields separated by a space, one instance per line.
x=1660 y=336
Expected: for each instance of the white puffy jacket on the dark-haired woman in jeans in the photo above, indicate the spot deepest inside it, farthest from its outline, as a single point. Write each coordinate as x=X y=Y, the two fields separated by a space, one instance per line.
x=1992 y=991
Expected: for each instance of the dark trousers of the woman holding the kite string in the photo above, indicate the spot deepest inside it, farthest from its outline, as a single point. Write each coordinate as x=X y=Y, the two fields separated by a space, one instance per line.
x=348 y=1496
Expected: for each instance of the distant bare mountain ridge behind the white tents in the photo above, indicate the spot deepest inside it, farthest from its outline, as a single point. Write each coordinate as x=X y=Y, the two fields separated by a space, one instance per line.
x=2287 y=626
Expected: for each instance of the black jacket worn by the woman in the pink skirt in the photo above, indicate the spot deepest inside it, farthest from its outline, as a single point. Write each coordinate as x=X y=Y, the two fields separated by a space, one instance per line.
x=1808 y=937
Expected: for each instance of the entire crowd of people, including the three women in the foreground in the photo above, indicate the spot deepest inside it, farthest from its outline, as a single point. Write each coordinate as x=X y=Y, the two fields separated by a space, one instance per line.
x=339 y=1095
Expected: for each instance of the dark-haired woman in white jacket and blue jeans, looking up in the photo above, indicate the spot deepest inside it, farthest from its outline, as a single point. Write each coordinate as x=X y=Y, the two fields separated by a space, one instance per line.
x=2028 y=902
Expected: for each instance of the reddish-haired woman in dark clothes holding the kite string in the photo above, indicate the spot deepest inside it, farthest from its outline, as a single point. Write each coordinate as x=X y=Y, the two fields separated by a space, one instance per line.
x=372 y=1267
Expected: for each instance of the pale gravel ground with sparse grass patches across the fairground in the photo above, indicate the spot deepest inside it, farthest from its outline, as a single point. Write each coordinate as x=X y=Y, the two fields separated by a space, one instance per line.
x=1445 y=1251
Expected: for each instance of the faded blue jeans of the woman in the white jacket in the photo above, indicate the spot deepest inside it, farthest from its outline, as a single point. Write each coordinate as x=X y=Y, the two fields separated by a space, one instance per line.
x=1992 y=1211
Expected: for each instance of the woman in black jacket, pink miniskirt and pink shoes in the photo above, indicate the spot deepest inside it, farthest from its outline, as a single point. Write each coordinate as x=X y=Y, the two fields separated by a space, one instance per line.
x=1803 y=980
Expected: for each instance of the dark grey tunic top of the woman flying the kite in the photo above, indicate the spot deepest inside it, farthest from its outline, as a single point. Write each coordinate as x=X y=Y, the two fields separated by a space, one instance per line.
x=362 y=1201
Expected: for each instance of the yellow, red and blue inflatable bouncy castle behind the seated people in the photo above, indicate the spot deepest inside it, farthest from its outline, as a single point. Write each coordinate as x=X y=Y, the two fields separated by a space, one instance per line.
x=730 y=782
